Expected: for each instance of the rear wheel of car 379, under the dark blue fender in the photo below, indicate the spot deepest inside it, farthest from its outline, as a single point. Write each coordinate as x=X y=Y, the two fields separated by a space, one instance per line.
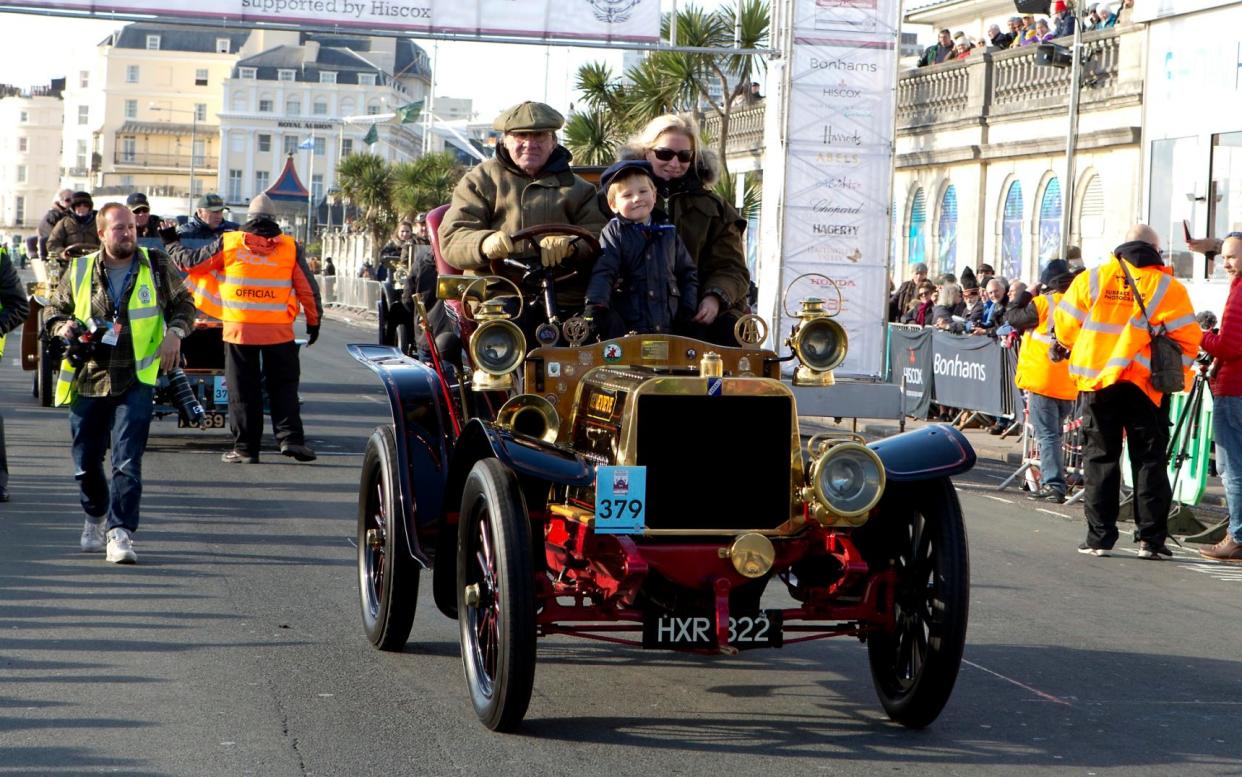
x=388 y=577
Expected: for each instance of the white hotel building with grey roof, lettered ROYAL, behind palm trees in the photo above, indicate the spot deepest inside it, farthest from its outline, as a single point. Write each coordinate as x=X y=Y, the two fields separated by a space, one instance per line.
x=311 y=96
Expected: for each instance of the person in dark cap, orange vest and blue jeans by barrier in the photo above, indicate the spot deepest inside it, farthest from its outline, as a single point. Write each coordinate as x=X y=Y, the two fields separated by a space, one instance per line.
x=1051 y=393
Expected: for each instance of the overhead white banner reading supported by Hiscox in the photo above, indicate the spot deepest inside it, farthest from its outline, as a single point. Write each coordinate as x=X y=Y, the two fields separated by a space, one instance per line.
x=609 y=20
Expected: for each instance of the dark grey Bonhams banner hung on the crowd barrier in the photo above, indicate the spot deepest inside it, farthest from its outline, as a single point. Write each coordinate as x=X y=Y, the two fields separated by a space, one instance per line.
x=969 y=373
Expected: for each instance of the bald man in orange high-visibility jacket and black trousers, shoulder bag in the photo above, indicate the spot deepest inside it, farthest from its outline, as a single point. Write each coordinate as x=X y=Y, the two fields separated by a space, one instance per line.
x=1100 y=321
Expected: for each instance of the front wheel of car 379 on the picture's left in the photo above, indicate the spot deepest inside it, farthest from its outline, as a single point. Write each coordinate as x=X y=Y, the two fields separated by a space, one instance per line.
x=496 y=596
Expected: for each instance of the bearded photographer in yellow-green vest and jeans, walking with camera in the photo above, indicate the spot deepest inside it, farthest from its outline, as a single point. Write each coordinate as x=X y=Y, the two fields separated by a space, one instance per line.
x=122 y=312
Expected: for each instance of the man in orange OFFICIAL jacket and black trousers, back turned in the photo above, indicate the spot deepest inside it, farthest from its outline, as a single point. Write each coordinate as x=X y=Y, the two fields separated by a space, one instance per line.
x=254 y=281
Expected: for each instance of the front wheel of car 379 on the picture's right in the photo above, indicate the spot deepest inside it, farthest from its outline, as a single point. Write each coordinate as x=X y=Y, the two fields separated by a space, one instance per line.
x=921 y=534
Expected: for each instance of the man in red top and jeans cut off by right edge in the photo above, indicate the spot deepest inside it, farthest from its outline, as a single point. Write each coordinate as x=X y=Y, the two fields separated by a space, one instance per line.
x=1225 y=347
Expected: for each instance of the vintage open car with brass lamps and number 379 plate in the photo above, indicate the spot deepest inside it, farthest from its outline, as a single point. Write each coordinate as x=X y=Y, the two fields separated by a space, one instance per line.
x=602 y=500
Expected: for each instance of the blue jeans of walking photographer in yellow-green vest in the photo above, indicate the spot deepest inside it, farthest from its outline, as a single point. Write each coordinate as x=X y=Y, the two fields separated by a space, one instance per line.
x=125 y=420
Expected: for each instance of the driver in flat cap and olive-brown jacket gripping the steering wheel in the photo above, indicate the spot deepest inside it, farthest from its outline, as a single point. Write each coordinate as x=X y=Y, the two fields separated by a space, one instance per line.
x=527 y=184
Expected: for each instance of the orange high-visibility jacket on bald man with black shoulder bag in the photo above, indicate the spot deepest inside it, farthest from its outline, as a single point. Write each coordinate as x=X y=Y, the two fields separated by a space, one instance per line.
x=1101 y=323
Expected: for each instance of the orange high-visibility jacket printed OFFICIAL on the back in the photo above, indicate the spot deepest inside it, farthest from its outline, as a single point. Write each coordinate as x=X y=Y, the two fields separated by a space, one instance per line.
x=254 y=285
